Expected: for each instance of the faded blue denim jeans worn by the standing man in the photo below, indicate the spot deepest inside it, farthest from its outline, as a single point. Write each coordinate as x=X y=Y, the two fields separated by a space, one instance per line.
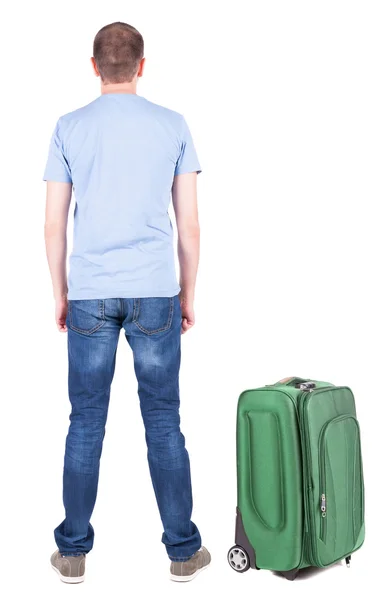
x=152 y=327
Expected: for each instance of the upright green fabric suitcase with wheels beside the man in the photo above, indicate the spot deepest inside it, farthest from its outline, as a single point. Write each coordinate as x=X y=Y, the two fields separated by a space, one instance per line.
x=299 y=473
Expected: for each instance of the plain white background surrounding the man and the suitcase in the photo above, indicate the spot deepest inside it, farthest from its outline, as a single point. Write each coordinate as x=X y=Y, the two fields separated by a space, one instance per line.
x=284 y=103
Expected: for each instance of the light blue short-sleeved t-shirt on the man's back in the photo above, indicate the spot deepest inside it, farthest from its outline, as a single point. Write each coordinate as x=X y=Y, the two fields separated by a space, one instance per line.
x=121 y=153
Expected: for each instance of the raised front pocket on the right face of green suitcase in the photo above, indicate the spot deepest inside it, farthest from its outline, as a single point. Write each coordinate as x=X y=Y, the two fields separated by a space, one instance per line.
x=340 y=486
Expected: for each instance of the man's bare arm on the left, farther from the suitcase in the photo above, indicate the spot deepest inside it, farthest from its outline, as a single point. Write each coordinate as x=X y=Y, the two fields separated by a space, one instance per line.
x=58 y=198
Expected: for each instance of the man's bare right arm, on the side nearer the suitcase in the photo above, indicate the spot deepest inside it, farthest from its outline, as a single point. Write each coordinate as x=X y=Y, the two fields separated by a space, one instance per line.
x=184 y=198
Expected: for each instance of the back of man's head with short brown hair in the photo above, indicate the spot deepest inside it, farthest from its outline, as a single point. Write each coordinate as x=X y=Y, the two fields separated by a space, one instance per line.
x=118 y=50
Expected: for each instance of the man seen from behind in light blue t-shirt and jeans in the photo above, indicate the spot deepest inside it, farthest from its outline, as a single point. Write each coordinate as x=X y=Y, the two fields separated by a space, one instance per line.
x=123 y=156
